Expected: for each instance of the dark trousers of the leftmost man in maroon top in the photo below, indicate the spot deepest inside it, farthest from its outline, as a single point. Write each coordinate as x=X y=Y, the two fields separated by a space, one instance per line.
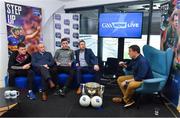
x=21 y=72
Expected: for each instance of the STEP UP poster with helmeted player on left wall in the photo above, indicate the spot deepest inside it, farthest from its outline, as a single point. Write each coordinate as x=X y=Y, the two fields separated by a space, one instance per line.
x=23 y=25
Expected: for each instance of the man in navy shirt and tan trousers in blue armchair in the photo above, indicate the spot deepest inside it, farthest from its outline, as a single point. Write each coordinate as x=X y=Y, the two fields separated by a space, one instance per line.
x=141 y=71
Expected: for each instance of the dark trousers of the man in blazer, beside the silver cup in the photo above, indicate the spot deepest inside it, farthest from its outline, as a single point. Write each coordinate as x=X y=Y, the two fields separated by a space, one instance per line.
x=83 y=70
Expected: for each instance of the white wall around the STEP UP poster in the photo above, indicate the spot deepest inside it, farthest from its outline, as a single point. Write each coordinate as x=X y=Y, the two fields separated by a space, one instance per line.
x=48 y=8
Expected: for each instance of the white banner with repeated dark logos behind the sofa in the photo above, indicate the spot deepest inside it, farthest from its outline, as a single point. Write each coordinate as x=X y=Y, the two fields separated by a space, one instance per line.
x=66 y=25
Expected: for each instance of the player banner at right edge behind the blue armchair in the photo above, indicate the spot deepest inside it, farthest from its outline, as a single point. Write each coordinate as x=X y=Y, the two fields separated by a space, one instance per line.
x=170 y=34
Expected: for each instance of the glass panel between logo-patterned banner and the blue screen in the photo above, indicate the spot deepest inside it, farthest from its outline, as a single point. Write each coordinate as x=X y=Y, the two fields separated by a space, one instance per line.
x=89 y=28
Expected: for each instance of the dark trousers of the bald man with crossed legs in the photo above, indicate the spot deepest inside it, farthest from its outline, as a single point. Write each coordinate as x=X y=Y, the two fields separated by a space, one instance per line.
x=45 y=74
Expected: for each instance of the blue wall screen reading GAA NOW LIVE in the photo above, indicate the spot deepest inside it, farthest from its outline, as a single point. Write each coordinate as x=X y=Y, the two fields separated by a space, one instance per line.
x=124 y=25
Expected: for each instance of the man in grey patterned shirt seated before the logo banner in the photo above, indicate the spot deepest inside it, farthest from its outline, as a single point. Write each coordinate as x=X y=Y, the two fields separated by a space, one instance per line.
x=63 y=58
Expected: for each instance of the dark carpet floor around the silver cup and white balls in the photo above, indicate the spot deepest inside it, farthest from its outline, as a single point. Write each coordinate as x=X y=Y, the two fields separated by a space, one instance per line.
x=68 y=106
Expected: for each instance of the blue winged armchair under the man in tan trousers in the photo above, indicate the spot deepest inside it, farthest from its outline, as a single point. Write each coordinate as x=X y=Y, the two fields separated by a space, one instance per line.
x=160 y=62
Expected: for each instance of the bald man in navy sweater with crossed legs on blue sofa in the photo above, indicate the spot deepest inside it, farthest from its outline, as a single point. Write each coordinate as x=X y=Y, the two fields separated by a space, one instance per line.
x=42 y=61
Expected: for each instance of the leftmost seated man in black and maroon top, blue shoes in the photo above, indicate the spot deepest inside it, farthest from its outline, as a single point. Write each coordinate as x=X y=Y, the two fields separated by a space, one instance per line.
x=20 y=65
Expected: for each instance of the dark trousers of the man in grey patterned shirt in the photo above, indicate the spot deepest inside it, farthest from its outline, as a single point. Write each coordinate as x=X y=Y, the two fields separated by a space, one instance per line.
x=63 y=69
